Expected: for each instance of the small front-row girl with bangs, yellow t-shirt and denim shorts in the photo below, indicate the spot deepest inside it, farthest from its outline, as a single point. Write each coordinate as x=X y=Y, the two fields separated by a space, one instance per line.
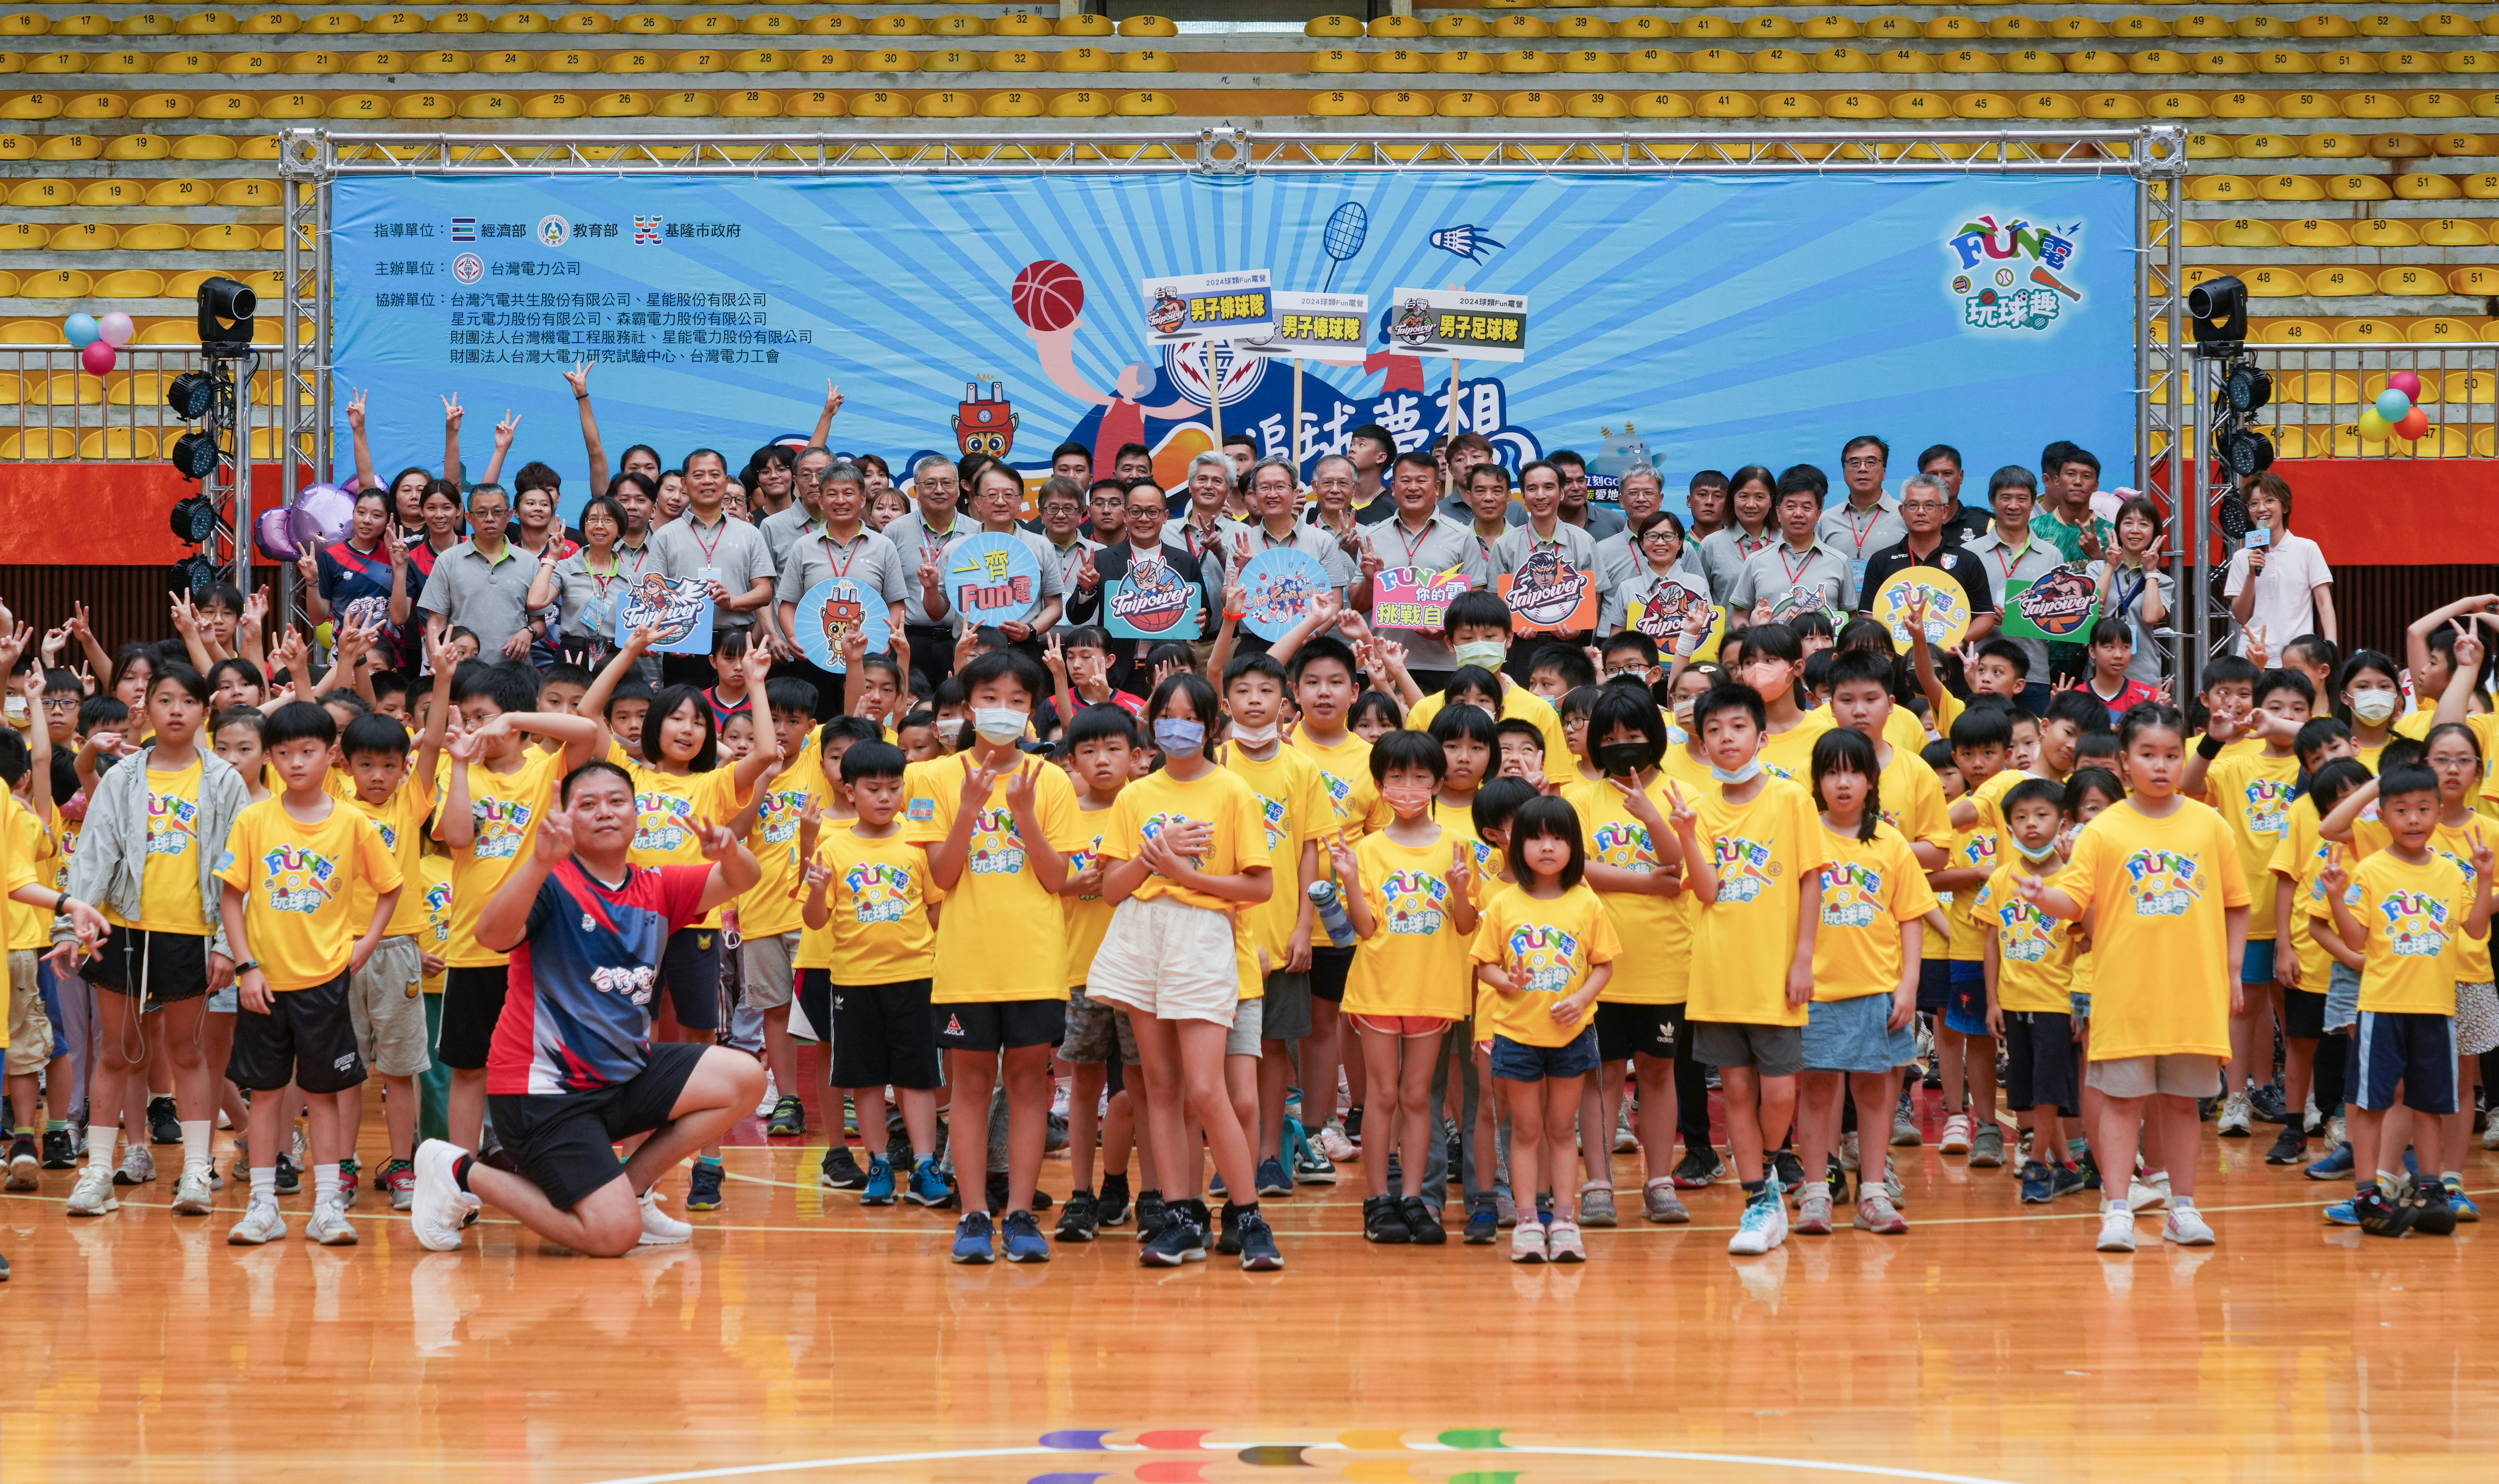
x=1546 y=948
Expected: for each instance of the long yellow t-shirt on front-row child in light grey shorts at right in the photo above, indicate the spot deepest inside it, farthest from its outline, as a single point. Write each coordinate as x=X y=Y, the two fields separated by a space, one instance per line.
x=2160 y=891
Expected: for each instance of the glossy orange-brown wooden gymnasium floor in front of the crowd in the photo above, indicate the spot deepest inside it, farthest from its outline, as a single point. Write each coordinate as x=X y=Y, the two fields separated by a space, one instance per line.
x=803 y=1338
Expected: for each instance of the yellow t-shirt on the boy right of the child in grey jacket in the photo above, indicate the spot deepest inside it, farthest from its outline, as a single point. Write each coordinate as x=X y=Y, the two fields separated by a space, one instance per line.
x=301 y=886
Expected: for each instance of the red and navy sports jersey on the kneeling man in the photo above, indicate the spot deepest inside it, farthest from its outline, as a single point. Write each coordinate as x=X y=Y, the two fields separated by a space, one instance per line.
x=576 y=1016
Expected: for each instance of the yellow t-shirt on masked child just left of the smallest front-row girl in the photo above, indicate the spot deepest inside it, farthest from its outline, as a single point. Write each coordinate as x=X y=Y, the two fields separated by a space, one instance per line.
x=1416 y=961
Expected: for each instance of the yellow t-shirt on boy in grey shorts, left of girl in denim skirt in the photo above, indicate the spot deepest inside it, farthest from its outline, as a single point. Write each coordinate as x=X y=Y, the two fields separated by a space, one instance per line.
x=1746 y=943
